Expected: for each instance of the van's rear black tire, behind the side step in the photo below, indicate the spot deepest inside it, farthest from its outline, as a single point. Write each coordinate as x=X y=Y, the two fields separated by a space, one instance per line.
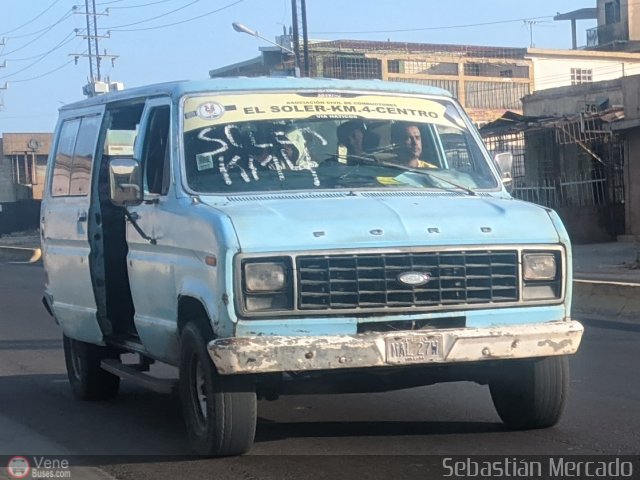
x=89 y=381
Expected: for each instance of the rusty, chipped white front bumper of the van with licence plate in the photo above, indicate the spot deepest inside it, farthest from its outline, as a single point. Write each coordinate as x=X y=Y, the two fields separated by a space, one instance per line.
x=264 y=354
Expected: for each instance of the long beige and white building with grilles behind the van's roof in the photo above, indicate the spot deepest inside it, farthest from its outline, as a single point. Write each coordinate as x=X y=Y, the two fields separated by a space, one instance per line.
x=488 y=81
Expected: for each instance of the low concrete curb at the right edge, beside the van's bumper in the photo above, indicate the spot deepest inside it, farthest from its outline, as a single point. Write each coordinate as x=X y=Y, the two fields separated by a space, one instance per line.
x=609 y=300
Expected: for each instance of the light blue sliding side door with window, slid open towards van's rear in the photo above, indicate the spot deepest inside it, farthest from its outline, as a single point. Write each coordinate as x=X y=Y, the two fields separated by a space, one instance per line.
x=66 y=241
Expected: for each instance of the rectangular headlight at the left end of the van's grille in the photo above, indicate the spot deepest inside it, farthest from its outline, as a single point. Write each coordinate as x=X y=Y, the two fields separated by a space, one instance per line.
x=267 y=285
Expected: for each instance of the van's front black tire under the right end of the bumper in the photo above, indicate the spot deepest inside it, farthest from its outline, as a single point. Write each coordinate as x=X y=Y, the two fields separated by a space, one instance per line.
x=532 y=393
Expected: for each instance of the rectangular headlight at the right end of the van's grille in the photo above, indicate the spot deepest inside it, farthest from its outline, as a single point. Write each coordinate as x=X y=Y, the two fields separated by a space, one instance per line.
x=542 y=275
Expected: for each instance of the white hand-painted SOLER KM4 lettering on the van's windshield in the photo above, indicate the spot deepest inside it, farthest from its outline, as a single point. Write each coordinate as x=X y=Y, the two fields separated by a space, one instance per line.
x=237 y=150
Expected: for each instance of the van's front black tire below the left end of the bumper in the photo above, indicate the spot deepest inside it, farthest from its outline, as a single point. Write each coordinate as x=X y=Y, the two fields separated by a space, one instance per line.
x=220 y=412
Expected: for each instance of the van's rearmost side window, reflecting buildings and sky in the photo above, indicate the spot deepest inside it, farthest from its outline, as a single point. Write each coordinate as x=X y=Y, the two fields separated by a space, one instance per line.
x=74 y=157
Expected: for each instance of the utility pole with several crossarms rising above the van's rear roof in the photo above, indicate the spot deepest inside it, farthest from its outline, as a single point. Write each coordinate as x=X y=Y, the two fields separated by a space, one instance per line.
x=96 y=83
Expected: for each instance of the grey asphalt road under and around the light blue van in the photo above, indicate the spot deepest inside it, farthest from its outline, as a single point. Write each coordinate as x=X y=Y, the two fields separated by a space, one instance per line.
x=140 y=435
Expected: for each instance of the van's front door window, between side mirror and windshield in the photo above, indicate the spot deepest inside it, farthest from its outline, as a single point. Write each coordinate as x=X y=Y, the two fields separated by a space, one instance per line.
x=156 y=153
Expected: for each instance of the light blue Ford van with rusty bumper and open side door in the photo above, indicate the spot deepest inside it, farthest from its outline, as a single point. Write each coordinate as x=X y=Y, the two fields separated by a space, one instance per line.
x=271 y=235
